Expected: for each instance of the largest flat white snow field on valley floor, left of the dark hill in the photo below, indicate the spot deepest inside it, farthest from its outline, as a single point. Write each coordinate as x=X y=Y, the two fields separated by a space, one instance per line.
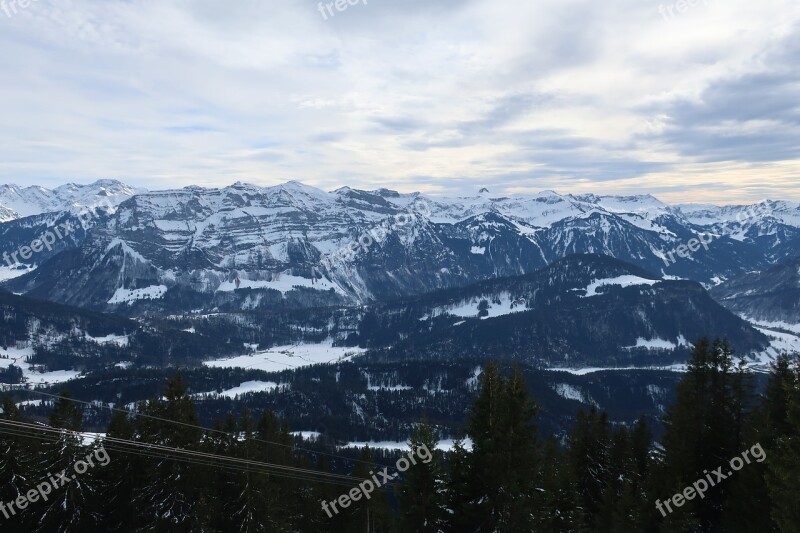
x=287 y=357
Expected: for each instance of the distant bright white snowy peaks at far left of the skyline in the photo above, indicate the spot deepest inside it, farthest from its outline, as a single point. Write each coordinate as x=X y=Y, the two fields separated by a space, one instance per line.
x=18 y=202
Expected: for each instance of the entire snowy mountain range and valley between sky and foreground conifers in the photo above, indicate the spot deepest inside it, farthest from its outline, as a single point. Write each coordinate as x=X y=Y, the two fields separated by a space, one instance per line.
x=600 y=298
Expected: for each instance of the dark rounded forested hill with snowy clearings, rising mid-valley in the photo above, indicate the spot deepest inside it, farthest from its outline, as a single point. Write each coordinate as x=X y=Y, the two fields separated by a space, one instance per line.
x=581 y=310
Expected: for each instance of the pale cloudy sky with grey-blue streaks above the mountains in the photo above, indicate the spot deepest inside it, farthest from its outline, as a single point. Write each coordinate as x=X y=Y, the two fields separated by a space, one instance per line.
x=691 y=101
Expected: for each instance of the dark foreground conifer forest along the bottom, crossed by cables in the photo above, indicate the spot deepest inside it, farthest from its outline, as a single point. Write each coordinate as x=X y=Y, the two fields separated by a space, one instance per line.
x=728 y=461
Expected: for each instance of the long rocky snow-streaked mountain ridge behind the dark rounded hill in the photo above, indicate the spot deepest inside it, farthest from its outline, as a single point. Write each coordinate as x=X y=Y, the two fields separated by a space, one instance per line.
x=249 y=247
